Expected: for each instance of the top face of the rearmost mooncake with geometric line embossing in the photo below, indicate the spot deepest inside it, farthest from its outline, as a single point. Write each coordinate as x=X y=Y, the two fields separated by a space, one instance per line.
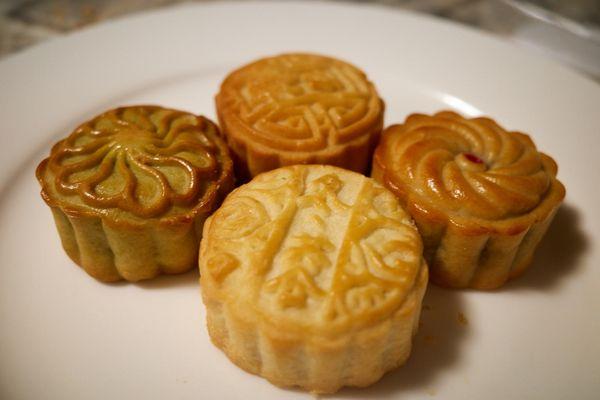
x=301 y=102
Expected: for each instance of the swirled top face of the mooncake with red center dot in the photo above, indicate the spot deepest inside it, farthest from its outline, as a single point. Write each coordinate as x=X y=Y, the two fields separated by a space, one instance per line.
x=467 y=167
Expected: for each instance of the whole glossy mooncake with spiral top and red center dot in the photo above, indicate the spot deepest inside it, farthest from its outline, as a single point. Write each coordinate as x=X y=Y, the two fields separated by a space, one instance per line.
x=482 y=197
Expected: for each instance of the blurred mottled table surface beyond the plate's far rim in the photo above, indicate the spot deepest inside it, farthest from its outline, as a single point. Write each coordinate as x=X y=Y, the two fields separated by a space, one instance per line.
x=24 y=23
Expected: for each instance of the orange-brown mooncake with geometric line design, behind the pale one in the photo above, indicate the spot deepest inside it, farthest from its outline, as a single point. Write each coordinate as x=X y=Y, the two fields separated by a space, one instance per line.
x=299 y=109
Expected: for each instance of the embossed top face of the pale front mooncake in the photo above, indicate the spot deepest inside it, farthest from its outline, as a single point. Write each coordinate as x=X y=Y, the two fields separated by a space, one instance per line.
x=318 y=247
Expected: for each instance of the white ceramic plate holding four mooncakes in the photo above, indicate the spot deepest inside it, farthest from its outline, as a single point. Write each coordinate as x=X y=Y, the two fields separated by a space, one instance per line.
x=65 y=336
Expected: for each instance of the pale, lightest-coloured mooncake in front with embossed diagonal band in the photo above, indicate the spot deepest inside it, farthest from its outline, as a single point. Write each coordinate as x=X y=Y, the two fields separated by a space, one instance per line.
x=312 y=276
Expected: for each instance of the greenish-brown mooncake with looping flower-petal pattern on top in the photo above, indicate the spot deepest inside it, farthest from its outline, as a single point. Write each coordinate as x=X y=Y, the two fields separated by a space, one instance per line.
x=130 y=190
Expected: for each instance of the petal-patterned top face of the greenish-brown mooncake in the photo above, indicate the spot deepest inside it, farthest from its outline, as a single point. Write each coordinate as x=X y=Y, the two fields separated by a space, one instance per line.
x=147 y=161
